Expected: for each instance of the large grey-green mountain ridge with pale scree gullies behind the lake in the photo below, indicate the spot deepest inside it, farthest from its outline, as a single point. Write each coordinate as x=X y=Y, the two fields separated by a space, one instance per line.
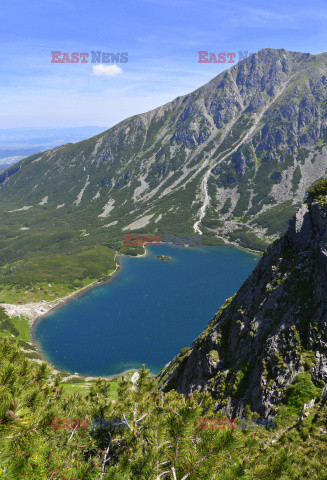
x=232 y=160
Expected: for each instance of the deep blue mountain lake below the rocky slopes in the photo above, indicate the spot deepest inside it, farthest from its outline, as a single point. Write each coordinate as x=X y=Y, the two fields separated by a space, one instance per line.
x=146 y=313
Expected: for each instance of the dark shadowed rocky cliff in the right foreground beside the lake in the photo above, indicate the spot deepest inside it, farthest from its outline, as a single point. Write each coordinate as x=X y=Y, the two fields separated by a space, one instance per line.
x=274 y=327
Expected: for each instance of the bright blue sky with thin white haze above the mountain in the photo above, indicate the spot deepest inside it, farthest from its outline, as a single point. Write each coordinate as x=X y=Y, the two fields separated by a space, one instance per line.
x=162 y=38
